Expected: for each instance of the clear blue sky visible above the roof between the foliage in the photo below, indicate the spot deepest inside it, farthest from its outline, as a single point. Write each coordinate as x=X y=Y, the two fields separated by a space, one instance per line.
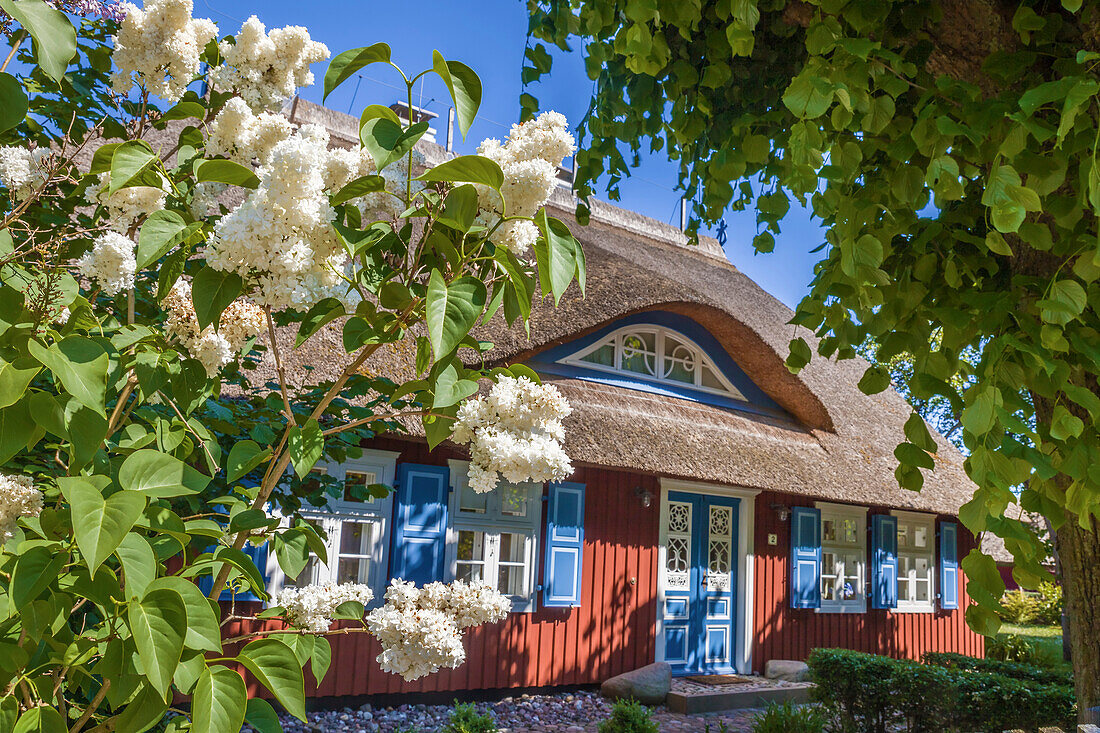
x=489 y=36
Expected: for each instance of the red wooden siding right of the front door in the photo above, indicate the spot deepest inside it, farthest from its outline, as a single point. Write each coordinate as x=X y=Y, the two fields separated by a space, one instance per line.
x=787 y=633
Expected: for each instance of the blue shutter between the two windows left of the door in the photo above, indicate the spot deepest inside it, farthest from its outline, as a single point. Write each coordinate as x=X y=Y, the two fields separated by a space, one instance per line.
x=421 y=522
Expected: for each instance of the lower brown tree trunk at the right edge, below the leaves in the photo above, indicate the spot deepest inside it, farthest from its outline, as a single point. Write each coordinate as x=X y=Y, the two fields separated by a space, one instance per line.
x=1080 y=553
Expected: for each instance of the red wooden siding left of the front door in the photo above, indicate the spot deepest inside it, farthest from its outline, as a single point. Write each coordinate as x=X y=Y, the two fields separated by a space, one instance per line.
x=612 y=632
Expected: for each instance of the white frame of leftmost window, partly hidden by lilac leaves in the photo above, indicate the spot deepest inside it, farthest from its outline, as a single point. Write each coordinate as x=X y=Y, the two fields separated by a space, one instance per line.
x=377 y=512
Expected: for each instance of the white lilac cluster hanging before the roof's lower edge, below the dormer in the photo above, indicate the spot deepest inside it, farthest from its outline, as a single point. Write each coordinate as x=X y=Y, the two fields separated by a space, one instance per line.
x=515 y=433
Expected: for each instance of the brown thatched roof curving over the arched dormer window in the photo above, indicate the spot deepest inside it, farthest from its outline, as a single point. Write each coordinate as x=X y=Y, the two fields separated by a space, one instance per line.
x=839 y=447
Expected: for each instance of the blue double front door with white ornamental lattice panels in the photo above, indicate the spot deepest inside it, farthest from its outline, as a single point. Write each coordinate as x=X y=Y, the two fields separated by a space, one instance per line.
x=699 y=584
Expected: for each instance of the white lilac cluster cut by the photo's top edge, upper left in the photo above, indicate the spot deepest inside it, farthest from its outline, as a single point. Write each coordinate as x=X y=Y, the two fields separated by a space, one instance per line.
x=161 y=46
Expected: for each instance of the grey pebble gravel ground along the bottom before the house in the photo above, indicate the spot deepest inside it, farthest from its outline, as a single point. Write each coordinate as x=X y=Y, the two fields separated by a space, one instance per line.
x=567 y=713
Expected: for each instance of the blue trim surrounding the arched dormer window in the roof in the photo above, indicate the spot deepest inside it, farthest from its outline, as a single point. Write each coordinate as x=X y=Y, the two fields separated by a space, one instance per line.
x=758 y=402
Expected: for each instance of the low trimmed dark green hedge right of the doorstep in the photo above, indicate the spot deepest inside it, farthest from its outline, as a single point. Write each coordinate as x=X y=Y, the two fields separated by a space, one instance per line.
x=870 y=694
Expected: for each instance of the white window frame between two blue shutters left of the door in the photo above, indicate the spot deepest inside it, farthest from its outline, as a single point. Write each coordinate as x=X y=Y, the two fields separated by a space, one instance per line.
x=493 y=524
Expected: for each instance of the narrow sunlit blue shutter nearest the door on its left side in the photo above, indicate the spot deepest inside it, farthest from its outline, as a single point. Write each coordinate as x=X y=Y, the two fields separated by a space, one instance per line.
x=565 y=557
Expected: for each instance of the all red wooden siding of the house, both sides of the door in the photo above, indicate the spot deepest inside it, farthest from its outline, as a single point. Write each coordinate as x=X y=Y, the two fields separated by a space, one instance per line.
x=614 y=631
